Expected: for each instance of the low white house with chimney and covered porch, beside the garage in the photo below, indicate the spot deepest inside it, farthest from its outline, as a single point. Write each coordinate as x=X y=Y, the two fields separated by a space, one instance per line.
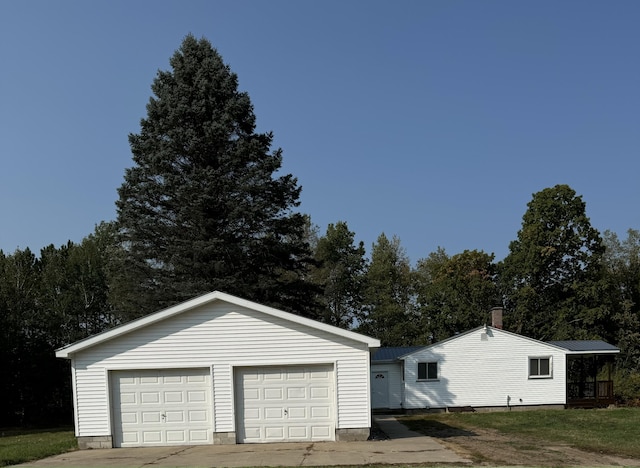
x=489 y=368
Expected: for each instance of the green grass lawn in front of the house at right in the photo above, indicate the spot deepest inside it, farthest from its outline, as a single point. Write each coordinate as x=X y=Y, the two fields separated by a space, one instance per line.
x=612 y=431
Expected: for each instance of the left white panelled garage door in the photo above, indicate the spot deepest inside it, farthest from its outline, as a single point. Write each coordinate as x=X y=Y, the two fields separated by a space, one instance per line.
x=161 y=407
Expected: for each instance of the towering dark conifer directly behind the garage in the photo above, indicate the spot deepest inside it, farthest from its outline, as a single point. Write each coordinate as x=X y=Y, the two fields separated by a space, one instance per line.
x=203 y=208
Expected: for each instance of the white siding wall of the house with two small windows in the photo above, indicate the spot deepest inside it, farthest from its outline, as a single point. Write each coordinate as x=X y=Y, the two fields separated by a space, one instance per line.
x=478 y=372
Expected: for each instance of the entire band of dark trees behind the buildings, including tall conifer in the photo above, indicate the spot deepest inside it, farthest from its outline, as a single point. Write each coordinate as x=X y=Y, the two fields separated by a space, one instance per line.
x=206 y=207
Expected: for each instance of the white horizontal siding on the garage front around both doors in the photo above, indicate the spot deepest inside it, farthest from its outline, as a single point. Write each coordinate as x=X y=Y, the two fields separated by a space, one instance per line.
x=222 y=335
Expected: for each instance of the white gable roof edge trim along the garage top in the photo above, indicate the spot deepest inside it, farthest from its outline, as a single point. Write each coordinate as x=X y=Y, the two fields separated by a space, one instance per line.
x=67 y=351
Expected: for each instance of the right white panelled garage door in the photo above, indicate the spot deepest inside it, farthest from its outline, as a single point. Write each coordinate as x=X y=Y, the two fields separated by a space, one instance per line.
x=285 y=404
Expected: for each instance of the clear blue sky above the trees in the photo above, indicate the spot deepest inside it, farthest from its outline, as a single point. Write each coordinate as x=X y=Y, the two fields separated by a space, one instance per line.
x=434 y=121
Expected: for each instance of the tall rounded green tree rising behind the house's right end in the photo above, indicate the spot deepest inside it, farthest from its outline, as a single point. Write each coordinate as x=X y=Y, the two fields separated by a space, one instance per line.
x=551 y=279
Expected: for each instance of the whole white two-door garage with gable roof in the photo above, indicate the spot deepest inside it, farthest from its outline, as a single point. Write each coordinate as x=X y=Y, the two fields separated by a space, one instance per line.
x=220 y=369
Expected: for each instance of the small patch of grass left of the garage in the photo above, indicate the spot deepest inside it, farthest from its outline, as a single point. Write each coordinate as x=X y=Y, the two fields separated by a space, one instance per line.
x=20 y=446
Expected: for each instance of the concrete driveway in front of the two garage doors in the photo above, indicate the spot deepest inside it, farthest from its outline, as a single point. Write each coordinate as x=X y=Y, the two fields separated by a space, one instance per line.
x=403 y=447
